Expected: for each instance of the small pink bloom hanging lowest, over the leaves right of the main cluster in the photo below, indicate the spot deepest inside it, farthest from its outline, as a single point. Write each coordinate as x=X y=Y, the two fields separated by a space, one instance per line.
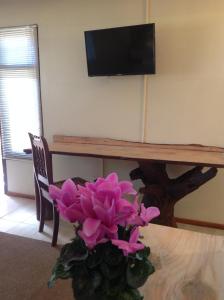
x=129 y=247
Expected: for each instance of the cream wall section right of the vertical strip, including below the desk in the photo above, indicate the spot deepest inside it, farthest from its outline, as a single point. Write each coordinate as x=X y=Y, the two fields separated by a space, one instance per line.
x=186 y=96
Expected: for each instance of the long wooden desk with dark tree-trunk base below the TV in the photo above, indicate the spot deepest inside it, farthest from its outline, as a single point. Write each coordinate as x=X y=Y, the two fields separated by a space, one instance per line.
x=159 y=190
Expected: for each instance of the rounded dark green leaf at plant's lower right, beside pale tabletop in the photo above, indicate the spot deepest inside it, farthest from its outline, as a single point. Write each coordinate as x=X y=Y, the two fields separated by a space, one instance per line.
x=138 y=272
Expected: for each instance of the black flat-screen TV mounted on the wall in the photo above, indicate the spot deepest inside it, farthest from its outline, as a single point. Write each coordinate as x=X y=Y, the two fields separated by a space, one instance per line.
x=126 y=50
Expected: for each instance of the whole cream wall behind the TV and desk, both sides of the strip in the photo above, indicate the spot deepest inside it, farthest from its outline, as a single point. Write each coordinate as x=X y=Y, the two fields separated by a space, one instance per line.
x=185 y=103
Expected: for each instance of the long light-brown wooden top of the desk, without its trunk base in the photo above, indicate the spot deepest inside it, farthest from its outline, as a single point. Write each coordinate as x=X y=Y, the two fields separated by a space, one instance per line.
x=109 y=148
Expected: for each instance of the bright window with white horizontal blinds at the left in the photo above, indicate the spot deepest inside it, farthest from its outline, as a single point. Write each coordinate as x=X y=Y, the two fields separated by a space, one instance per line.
x=20 y=109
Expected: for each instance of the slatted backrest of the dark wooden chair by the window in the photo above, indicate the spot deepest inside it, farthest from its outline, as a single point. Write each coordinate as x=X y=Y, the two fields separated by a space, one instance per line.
x=42 y=161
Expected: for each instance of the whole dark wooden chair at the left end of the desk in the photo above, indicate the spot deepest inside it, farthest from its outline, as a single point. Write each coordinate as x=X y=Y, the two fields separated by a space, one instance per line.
x=42 y=161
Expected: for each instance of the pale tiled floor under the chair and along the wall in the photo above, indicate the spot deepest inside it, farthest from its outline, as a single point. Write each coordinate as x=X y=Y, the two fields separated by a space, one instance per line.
x=18 y=216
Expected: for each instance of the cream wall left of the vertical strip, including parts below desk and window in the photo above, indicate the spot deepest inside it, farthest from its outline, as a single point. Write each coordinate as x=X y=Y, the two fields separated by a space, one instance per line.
x=72 y=102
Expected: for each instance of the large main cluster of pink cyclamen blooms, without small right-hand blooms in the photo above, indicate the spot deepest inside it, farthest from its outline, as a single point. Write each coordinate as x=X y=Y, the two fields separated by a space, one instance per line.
x=100 y=205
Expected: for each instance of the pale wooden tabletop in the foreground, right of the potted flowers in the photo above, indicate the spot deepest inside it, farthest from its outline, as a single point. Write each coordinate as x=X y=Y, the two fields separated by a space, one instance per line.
x=189 y=265
